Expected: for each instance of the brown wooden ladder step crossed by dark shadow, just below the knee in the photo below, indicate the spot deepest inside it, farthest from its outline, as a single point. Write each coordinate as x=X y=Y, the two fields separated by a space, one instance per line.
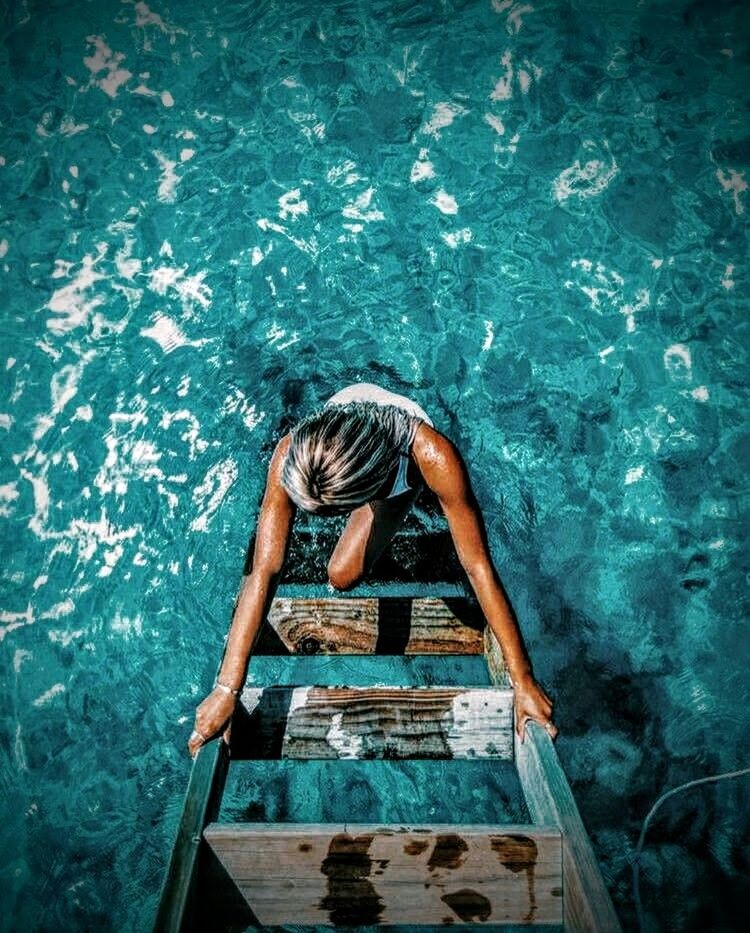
x=387 y=624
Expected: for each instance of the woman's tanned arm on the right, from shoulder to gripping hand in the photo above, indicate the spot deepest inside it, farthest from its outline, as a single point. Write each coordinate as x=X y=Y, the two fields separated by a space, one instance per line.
x=445 y=473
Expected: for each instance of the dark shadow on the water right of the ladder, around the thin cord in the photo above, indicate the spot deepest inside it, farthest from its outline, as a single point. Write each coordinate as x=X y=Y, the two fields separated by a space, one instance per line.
x=613 y=749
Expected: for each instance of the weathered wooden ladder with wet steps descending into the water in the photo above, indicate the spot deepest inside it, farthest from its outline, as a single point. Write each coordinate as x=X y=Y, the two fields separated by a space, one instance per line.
x=229 y=875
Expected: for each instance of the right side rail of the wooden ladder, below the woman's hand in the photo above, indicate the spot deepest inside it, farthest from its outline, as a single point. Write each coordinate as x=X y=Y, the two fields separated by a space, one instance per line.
x=588 y=907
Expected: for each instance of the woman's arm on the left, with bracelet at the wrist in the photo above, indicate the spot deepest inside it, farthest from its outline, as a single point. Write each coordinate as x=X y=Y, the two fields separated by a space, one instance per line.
x=271 y=541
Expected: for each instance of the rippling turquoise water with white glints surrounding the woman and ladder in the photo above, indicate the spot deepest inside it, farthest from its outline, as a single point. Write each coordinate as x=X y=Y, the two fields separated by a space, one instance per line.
x=529 y=217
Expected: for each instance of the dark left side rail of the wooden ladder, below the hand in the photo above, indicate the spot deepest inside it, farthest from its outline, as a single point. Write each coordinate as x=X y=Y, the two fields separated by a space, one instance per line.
x=205 y=788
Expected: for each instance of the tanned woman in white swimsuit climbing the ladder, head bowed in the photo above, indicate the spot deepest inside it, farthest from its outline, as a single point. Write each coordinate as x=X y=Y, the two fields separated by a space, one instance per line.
x=367 y=452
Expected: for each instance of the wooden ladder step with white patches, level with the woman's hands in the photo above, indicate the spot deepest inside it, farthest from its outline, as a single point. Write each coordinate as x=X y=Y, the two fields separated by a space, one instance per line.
x=375 y=722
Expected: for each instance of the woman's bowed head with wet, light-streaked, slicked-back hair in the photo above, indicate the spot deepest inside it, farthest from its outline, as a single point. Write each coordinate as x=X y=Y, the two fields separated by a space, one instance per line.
x=341 y=456
